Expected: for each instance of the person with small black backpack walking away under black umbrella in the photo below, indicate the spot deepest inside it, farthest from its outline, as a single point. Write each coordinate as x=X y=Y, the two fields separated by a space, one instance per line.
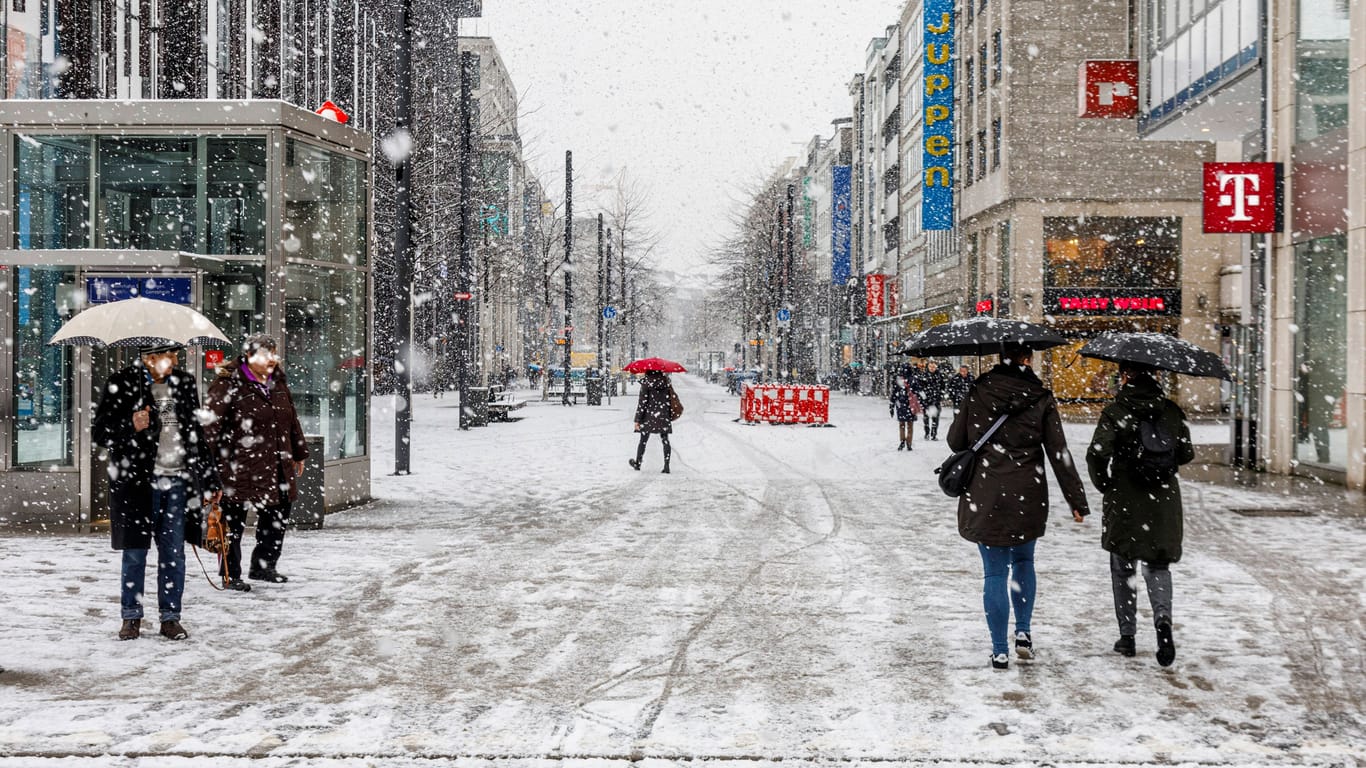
x=1141 y=442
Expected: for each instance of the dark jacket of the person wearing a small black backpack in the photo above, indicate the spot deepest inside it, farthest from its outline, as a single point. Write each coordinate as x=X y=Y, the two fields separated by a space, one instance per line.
x=1143 y=520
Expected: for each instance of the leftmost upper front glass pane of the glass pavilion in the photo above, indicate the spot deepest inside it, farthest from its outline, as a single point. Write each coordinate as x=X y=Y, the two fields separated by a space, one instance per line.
x=53 y=192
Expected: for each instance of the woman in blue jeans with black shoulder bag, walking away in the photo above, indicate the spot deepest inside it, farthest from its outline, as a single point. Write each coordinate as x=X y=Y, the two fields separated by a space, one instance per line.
x=1005 y=510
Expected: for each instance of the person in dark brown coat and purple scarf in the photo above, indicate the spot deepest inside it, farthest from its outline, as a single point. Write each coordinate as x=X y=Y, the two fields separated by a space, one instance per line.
x=260 y=446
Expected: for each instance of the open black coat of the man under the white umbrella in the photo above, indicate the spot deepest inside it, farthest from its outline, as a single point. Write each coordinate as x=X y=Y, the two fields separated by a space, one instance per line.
x=133 y=454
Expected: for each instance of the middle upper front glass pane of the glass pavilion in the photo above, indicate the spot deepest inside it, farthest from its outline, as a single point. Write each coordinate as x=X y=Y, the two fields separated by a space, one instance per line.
x=147 y=193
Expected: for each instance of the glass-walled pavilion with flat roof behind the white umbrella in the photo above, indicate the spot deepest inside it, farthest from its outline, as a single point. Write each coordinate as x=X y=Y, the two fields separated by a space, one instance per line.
x=257 y=214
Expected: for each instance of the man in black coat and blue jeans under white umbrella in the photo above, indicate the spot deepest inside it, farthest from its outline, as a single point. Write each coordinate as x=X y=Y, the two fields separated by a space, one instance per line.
x=161 y=471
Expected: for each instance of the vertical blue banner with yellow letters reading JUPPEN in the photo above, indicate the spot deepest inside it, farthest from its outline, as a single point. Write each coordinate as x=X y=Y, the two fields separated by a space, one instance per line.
x=938 y=188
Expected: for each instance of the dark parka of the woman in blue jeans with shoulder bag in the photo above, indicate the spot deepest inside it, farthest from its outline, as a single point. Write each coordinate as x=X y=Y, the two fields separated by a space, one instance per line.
x=1007 y=501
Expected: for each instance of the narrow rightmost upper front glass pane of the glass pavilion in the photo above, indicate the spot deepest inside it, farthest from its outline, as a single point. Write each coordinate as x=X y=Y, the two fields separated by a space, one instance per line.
x=237 y=196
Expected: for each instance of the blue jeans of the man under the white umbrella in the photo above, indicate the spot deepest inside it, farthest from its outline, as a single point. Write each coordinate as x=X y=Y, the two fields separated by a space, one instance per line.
x=169 y=502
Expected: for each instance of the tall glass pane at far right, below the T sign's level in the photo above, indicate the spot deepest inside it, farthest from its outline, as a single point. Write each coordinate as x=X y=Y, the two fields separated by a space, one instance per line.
x=1322 y=352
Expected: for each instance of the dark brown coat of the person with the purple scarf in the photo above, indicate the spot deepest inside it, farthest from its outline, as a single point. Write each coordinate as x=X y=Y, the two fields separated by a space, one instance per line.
x=256 y=437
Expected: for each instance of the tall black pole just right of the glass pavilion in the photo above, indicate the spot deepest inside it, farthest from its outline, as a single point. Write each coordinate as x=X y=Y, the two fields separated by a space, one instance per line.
x=404 y=255
